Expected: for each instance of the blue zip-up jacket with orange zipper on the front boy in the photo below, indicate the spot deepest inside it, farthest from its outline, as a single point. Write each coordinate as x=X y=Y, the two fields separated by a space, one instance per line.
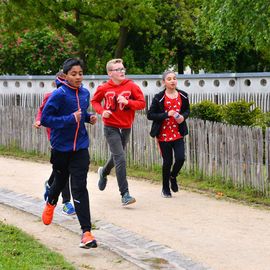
x=66 y=134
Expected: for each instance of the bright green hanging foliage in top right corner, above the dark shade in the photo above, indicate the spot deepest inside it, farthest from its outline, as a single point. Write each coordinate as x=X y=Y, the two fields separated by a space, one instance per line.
x=241 y=21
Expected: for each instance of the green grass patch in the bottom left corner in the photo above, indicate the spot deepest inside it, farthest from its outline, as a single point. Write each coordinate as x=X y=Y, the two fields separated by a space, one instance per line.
x=21 y=251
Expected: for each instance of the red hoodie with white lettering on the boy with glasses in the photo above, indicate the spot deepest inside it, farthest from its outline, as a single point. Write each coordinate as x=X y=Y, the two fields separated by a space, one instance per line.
x=122 y=115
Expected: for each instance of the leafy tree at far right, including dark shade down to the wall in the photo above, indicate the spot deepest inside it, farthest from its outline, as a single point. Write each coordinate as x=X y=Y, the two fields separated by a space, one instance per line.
x=235 y=34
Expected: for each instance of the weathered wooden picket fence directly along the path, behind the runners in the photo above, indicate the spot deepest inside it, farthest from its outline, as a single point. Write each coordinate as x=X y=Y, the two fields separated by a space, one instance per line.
x=240 y=155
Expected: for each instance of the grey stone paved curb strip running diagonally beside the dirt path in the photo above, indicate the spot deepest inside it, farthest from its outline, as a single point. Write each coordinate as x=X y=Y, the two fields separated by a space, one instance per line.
x=144 y=253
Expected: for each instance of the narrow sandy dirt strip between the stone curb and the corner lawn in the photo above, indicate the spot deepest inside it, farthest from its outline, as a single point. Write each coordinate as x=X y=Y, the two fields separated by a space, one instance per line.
x=64 y=242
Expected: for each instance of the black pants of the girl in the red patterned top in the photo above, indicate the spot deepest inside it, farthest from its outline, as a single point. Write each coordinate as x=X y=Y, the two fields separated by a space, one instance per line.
x=167 y=149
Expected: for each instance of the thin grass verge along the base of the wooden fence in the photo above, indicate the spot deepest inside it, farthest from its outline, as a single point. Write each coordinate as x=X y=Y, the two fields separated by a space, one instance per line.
x=210 y=187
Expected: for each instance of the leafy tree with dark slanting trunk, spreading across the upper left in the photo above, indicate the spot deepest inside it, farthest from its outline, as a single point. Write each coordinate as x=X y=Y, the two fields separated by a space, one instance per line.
x=98 y=26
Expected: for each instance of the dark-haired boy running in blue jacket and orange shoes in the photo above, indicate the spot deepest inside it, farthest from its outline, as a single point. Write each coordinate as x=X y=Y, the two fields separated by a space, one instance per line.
x=66 y=113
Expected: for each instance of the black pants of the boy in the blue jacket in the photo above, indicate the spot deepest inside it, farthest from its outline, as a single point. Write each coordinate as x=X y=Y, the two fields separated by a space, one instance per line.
x=75 y=164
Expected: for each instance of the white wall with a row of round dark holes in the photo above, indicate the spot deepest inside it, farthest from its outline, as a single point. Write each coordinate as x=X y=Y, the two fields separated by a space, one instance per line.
x=194 y=83
